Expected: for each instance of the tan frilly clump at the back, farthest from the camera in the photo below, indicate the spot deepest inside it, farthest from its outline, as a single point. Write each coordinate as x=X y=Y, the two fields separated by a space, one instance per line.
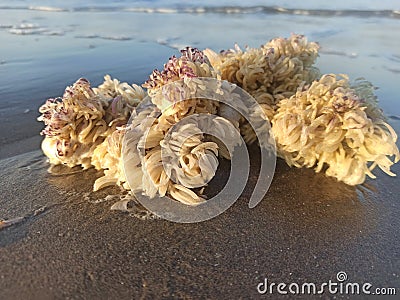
x=269 y=73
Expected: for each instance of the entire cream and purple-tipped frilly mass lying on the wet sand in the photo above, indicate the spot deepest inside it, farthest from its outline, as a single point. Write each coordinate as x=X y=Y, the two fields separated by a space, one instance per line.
x=317 y=121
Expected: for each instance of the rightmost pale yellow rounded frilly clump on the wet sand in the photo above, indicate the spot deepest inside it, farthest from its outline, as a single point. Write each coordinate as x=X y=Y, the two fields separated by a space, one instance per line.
x=327 y=125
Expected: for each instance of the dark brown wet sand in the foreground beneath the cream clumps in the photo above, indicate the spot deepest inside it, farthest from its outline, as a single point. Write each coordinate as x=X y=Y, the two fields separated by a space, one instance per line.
x=307 y=228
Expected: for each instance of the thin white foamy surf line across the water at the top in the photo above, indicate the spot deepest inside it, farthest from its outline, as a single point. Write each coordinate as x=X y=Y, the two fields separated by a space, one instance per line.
x=271 y=10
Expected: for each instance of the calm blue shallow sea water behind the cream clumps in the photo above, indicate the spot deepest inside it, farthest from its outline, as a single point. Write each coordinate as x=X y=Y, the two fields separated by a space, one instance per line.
x=46 y=45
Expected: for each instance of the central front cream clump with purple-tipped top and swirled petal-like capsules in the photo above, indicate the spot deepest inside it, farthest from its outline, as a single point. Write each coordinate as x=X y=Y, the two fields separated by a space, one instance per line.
x=170 y=153
